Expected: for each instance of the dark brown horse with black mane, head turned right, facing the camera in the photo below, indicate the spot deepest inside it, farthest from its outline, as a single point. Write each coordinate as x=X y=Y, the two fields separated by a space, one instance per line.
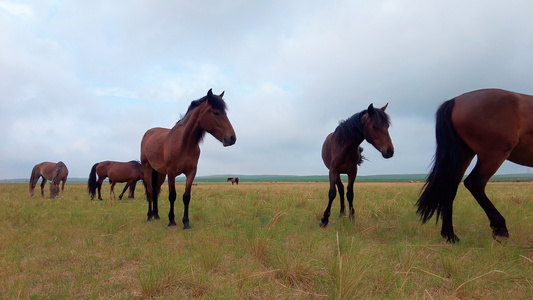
x=341 y=152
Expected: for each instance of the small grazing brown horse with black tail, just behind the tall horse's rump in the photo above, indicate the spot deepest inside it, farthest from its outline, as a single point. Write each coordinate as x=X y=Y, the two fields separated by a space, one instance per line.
x=128 y=172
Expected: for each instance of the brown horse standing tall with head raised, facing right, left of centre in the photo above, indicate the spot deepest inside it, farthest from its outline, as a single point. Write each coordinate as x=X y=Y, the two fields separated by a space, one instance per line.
x=176 y=151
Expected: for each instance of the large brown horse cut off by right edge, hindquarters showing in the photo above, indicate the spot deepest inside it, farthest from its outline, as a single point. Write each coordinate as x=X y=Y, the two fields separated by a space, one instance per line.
x=495 y=125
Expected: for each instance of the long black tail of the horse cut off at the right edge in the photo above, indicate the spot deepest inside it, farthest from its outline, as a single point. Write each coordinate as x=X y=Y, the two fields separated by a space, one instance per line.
x=447 y=171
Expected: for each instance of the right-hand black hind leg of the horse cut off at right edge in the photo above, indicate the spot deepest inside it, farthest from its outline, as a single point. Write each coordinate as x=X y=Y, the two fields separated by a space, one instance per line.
x=476 y=183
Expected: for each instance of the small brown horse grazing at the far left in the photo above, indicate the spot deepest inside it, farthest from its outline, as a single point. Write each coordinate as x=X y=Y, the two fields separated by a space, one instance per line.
x=55 y=172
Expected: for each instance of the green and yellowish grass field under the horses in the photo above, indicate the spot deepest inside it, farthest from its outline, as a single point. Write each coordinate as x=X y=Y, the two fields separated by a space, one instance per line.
x=262 y=241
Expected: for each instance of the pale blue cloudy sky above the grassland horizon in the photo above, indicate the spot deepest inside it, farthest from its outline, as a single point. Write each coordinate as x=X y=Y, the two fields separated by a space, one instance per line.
x=82 y=81
